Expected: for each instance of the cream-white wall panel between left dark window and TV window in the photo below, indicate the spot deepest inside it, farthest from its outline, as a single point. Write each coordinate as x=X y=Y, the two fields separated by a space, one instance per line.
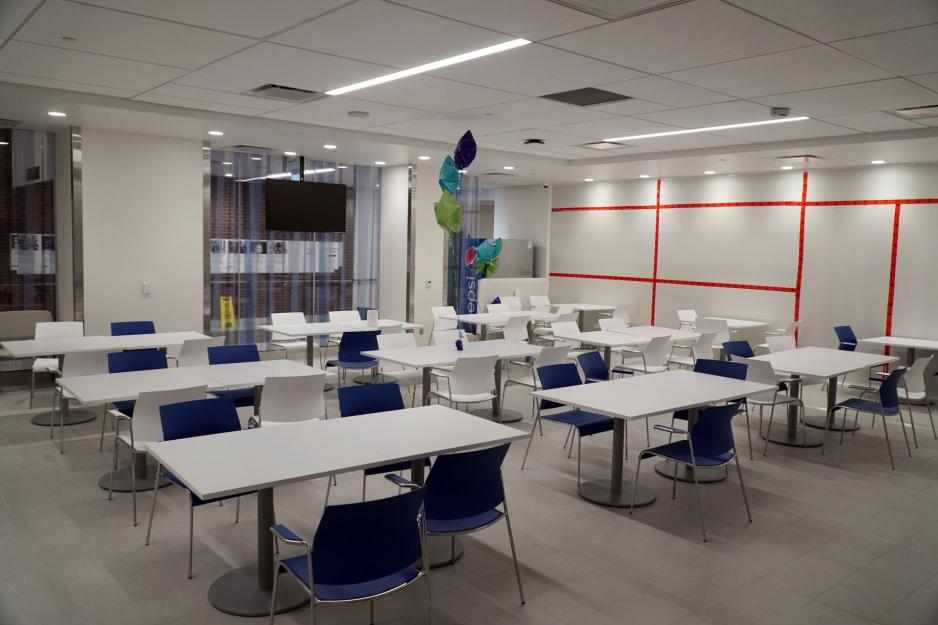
x=142 y=221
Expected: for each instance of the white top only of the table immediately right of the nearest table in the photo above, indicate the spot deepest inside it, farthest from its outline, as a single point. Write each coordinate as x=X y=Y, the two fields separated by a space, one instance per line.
x=647 y=395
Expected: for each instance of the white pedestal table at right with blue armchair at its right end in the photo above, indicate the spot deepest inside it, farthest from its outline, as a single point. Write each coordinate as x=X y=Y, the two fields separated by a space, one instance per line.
x=820 y=362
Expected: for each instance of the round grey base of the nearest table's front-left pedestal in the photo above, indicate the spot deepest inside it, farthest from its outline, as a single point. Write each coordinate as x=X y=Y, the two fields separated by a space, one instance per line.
x=237 y=593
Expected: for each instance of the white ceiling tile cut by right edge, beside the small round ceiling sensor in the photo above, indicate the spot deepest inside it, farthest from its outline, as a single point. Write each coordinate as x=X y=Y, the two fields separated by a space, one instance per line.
x=879 y=95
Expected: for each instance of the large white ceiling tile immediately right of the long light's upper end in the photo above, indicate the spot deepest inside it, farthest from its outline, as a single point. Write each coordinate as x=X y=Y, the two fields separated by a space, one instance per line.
x=686 y=35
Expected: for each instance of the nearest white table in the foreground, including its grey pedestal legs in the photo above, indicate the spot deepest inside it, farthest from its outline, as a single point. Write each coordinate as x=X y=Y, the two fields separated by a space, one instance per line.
x=264 y=458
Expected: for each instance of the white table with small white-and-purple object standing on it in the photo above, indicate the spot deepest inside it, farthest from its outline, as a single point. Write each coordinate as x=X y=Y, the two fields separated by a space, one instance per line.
x=430 y=356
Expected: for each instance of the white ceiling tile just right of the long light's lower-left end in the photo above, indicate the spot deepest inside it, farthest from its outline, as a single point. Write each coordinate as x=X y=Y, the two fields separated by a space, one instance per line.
x=435 y=94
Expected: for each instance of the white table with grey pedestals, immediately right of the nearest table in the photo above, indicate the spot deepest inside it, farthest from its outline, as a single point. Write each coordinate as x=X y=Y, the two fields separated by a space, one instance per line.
x=641 y=397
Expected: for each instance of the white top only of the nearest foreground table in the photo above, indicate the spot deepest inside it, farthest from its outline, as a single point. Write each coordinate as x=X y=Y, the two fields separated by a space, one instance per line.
x=247 y=460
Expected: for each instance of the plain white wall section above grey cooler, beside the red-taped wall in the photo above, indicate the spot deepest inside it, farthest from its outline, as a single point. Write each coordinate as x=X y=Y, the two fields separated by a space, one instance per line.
x=524 y=213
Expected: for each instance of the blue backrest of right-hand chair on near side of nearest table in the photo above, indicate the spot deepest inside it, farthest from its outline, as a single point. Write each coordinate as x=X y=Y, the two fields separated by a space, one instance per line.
x=465 y=484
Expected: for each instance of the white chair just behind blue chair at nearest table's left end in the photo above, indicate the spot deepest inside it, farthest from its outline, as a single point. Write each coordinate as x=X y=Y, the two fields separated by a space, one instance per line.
x=145 y=427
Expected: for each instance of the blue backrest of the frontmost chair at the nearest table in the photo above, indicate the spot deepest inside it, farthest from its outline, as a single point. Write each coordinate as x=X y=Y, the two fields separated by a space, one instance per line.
x=361 y=542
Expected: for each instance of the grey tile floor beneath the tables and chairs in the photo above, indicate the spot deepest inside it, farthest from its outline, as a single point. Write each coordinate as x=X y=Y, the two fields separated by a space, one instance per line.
x=835 y=540
